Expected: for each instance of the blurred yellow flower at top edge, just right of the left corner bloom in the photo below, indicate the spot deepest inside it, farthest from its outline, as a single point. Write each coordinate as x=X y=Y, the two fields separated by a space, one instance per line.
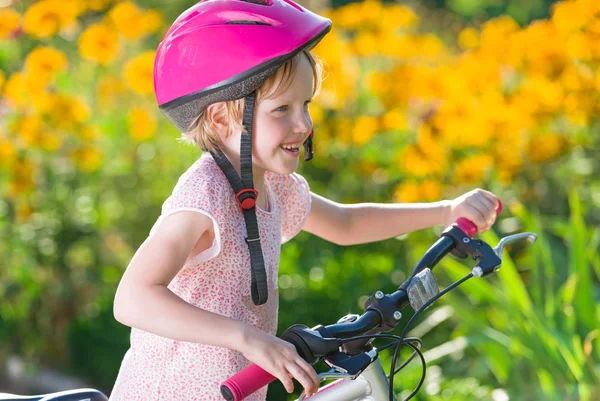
x=47 y=17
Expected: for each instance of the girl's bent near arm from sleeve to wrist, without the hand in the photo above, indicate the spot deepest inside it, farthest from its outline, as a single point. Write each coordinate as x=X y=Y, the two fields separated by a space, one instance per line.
x=143 y=300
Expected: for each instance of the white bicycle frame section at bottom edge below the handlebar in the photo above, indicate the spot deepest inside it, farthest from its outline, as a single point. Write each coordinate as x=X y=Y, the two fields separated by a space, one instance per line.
x=371 y=385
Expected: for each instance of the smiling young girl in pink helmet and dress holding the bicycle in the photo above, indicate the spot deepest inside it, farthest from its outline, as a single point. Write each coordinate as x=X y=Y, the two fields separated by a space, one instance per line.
x=201 y=292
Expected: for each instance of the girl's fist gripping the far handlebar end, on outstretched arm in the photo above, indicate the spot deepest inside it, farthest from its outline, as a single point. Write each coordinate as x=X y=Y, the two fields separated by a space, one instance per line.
x=478 y=205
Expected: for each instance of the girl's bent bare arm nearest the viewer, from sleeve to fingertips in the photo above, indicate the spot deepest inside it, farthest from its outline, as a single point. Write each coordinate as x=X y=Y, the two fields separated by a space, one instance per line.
x=144 y=301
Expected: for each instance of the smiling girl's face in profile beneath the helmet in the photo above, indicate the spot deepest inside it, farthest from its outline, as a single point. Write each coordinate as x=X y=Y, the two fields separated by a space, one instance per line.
x=282 y=123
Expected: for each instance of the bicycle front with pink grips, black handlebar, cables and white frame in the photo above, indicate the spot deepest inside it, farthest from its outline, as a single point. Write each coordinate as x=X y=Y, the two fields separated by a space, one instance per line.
x=346 y=345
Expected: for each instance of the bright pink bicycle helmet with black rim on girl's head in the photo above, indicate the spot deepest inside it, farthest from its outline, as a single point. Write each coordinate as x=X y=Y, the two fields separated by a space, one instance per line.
x=221 y=50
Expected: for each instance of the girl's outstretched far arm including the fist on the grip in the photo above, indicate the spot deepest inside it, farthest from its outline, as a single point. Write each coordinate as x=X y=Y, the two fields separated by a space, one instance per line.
x=369 y=222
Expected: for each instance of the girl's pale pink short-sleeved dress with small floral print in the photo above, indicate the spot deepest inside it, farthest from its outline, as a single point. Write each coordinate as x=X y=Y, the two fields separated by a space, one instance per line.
x=218 y=280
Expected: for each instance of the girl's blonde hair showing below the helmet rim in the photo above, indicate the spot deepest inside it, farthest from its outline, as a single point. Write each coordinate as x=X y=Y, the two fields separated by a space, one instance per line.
x=201 y=131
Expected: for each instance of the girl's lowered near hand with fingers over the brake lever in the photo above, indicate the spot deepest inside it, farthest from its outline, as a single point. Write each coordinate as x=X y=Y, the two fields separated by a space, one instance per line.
x=279 y=358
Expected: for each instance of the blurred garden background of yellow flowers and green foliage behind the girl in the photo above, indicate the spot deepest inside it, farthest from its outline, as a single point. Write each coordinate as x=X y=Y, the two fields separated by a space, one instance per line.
x=422 y=101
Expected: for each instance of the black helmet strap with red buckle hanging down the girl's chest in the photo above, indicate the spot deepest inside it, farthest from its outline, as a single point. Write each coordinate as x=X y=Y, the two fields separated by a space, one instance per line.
x=246 y=196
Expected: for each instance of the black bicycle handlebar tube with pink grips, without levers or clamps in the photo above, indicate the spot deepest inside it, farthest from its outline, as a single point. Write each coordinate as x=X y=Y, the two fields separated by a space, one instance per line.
x=252 y=378
